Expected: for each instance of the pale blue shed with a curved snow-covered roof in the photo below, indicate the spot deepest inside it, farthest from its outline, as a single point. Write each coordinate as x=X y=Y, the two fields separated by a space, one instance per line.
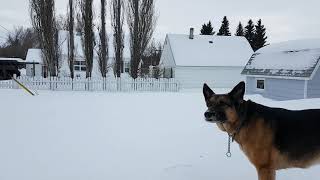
x=285 y=71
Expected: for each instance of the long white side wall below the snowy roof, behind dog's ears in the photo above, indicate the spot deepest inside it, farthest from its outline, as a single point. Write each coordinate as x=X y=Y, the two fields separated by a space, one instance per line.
x=216 y=77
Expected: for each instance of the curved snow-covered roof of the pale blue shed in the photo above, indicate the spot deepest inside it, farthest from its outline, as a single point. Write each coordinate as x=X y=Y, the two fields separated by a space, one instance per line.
x=294 y=59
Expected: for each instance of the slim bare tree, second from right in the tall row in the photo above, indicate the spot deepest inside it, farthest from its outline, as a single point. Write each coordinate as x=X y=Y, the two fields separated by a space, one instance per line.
x=117 y=19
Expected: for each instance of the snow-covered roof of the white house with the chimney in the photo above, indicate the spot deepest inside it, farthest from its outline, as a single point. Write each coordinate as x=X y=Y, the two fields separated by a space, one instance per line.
x=206 y=50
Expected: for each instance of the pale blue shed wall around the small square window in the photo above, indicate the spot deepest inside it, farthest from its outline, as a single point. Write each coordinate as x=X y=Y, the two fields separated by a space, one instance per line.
x=278 y=89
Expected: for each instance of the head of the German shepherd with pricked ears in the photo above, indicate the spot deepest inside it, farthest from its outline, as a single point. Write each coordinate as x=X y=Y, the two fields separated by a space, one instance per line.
x=222 y=108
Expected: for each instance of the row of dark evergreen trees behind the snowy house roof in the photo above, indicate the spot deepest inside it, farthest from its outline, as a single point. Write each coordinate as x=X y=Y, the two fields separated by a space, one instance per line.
x=254 y=33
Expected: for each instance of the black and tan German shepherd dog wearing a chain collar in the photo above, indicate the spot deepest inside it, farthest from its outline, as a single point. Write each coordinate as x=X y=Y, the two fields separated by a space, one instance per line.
x=271 y=138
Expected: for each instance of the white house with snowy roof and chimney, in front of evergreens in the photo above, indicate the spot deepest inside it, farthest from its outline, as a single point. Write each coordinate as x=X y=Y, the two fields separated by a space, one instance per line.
x=195 y=59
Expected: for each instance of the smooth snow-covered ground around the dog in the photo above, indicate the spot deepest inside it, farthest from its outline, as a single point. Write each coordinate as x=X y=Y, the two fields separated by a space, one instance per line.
x=121 y=136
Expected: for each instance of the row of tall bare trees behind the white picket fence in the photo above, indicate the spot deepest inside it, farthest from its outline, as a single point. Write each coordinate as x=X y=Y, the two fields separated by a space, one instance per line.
x=139 y=15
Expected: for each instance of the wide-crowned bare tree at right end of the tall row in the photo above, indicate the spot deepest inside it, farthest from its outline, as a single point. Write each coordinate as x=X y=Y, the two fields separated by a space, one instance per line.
x=141 y=20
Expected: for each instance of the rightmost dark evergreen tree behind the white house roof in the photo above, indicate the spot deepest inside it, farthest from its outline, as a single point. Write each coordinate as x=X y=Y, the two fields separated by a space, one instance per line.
x=260 y=36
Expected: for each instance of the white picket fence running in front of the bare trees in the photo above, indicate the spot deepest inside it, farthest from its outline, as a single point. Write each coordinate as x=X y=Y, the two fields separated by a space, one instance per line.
x=95 y=84
